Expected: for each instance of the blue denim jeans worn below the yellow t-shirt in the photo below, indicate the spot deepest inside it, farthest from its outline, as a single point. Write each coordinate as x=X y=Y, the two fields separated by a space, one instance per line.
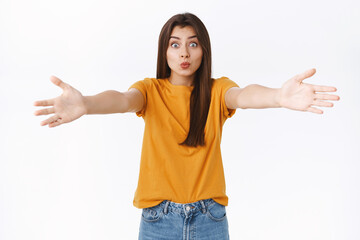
x=202 y=220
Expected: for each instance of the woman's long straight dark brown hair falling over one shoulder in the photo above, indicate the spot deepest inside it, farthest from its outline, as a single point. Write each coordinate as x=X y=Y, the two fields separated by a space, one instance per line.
x=201 y=93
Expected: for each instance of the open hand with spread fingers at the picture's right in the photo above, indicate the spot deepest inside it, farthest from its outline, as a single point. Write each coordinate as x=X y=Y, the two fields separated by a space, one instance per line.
x=296 y=95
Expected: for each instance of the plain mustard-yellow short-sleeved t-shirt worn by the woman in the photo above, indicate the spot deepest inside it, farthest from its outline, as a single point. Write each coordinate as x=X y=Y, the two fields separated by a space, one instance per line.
x=169 y=171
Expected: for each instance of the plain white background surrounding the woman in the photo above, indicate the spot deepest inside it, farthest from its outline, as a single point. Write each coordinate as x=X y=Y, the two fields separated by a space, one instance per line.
x=290 y=175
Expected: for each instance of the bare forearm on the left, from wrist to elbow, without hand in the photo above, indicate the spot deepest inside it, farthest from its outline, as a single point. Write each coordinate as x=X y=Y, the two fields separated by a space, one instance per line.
x=110 y=101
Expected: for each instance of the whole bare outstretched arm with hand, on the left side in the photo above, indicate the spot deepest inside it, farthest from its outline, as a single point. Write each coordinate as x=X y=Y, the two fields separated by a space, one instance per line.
x=71 y=105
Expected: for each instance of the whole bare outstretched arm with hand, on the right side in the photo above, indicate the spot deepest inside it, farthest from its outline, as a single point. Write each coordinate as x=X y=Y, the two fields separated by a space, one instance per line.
x=294 y=94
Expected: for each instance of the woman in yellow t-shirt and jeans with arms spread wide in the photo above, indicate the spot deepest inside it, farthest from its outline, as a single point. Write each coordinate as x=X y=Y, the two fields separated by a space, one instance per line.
x=181 y=186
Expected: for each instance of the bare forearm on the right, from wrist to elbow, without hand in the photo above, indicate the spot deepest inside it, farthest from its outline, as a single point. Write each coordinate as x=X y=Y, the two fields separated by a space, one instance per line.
x=257 y=96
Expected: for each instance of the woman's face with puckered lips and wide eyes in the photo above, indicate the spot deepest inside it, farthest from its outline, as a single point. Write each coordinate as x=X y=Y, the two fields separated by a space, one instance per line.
x=184 y=48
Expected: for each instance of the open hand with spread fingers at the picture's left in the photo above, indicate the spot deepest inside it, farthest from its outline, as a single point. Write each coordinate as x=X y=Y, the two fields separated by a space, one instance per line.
x=67 y=107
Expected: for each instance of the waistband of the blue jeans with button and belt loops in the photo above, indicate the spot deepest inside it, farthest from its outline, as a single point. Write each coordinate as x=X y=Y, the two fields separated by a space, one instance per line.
x=202 y=205
